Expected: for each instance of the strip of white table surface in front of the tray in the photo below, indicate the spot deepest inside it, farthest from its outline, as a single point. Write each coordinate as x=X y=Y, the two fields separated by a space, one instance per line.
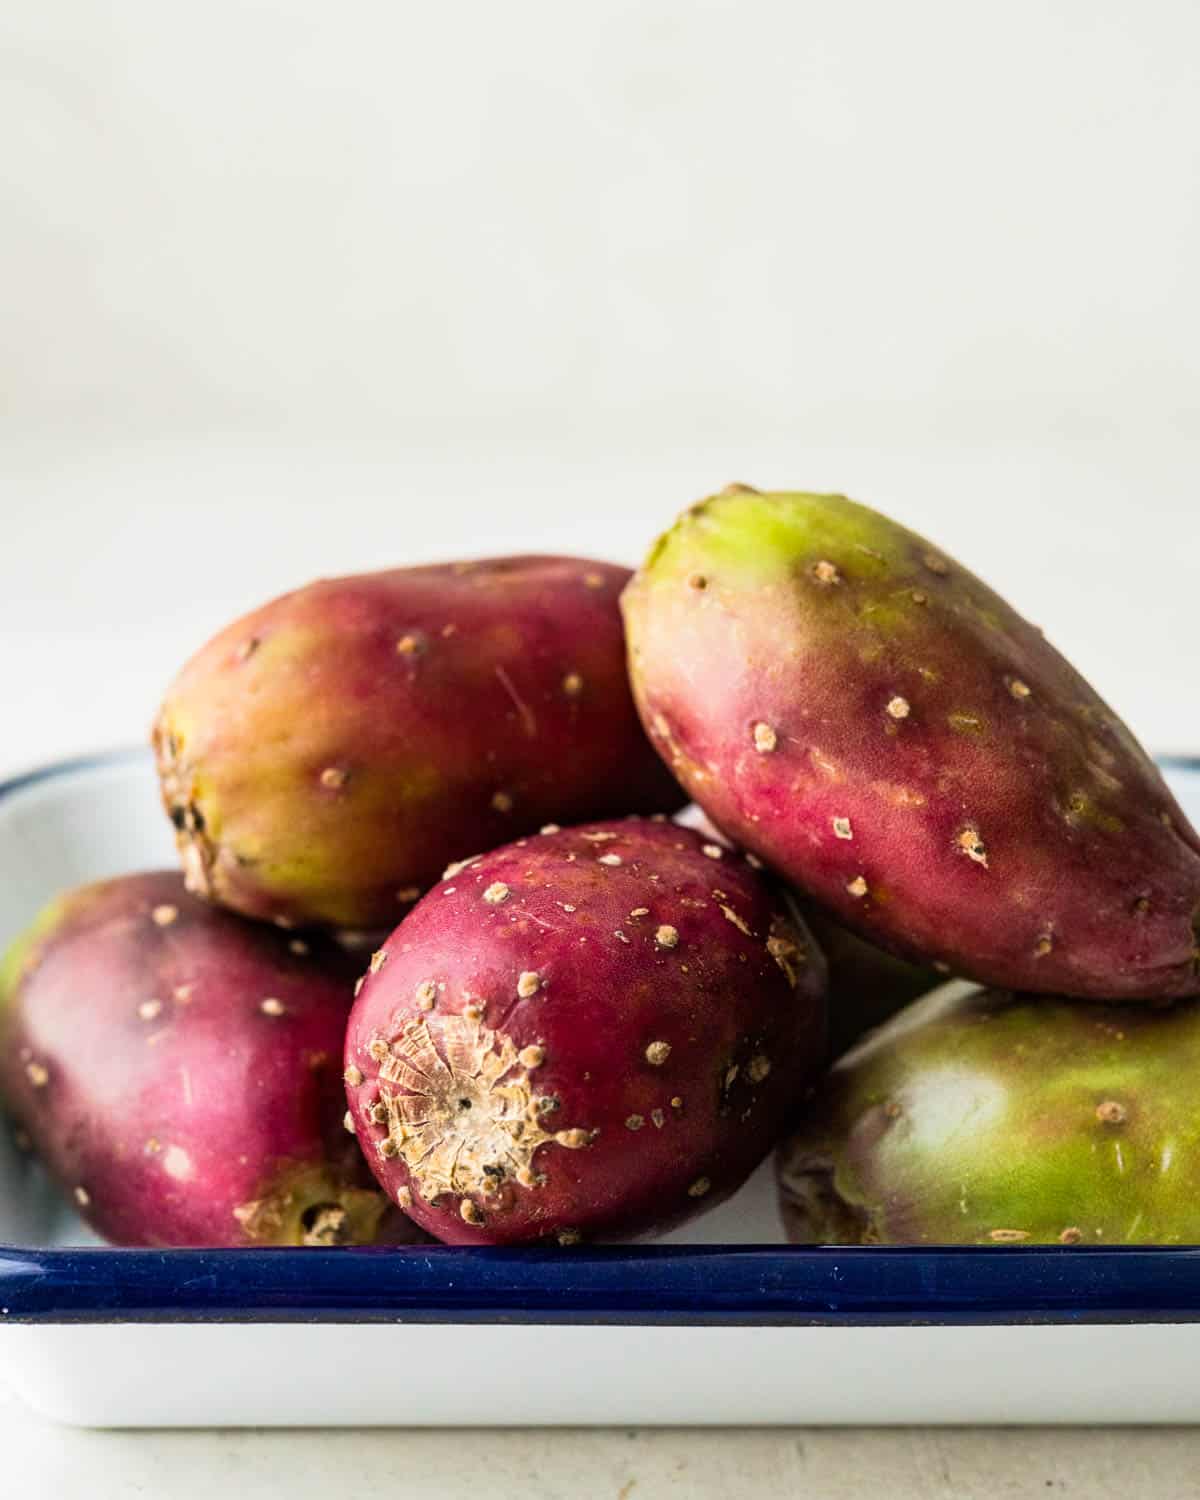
x=605 y=1465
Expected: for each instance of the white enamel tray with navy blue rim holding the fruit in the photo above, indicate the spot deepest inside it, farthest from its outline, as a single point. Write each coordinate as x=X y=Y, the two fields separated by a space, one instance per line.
x=719 y=1324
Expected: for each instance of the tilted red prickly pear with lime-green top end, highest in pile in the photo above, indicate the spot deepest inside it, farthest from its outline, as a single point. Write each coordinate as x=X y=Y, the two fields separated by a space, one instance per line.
x=887 y=733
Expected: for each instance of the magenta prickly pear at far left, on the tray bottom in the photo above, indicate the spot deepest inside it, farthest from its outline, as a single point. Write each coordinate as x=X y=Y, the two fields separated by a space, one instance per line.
x=179 y=1072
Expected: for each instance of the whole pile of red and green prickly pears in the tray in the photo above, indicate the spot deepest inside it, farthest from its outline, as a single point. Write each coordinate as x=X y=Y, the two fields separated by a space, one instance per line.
x=584 y=1019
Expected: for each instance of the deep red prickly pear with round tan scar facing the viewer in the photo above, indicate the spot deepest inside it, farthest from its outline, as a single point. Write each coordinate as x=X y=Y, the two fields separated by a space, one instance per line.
x=590 y=1034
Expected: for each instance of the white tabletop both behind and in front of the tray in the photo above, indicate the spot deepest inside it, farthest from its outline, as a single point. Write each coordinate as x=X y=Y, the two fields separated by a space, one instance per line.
x=121 y=560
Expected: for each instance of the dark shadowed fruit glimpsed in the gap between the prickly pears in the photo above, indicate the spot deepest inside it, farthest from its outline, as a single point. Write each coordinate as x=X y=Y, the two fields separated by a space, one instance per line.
x=868 y=986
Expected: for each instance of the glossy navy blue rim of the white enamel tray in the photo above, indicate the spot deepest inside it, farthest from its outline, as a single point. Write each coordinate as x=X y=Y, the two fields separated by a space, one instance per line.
x=676 y=1286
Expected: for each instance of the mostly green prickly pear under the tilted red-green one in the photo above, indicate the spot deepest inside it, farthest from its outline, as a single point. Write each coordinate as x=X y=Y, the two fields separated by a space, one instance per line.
x=989 y=1118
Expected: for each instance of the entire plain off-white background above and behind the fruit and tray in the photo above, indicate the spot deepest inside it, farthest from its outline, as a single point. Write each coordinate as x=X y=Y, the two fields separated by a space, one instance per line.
x=292 y=287
